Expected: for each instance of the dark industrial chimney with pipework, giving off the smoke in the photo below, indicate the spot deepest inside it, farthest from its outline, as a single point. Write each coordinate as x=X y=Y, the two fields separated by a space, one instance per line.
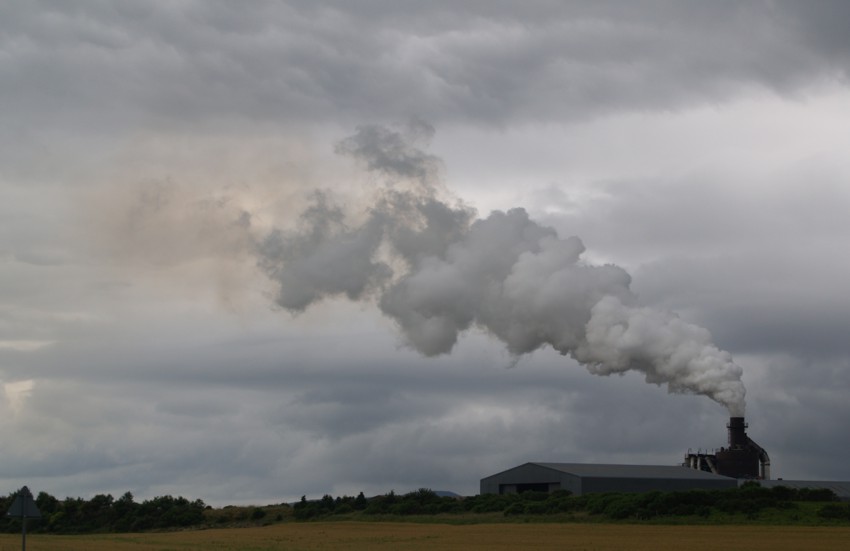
x=742 y=459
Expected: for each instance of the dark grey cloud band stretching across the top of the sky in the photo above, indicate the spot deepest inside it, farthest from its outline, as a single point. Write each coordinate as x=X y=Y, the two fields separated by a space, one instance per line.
x=172 y=63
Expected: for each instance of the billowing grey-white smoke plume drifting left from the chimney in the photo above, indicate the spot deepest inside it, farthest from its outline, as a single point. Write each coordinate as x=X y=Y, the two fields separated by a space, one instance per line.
x=437 y=271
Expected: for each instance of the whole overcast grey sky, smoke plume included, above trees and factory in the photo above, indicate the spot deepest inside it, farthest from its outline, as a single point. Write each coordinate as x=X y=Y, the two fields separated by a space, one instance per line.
x=254 y=251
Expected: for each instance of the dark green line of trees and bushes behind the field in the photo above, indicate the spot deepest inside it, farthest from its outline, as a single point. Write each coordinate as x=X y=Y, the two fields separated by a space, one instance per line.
x=103 y=513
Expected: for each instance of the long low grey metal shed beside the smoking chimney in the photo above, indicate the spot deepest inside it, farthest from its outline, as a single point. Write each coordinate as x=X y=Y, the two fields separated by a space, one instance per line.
x=581 y=478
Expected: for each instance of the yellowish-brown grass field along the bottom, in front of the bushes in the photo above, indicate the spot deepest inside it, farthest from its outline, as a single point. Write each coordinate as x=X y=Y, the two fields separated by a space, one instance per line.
x=331 y=536
